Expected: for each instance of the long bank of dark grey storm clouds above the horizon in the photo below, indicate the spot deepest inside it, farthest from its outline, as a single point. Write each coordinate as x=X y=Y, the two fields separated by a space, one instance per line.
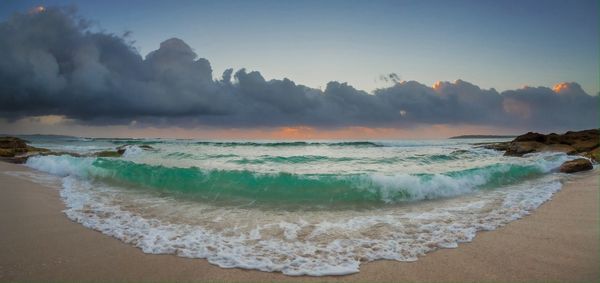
x=52 y=63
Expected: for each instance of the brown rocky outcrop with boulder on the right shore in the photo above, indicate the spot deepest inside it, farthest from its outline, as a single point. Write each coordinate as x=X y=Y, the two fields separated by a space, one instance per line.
x=583 y=143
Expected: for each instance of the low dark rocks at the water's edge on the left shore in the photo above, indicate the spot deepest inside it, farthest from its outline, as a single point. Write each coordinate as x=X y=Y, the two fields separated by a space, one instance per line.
x=16 y=150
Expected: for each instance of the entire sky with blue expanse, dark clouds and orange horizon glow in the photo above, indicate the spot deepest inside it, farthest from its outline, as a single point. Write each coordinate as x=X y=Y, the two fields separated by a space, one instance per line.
x=368 y=67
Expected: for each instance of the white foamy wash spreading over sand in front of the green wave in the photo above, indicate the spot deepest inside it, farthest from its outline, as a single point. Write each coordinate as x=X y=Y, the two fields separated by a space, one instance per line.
x=318 y=243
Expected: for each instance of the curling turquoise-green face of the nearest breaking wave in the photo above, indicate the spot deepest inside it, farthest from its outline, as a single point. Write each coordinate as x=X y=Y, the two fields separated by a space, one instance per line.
x=307 y=188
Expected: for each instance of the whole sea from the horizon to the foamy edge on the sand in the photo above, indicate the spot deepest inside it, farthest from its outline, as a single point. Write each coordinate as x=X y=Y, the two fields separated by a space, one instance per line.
x=296 y=207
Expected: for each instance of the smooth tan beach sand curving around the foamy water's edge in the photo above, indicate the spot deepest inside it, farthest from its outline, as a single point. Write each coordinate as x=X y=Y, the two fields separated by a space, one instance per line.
x=558 y=242
